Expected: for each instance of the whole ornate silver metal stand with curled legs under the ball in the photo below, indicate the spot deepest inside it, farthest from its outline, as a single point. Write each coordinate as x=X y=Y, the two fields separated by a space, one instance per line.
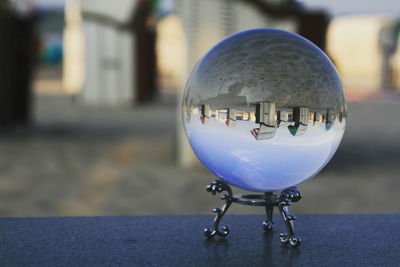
x=268 y=200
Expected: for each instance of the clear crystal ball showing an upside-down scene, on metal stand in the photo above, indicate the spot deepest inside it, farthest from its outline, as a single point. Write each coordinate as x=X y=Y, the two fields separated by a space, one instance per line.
x=264 y=110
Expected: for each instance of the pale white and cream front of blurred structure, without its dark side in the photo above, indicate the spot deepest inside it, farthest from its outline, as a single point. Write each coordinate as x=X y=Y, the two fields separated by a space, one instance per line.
x=98 y=63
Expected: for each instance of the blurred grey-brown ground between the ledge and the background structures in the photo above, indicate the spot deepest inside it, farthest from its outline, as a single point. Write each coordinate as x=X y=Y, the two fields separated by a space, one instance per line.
x=76 y=160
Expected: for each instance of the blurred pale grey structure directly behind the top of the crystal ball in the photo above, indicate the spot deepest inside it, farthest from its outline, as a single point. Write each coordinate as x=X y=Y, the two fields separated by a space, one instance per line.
x=207 y=22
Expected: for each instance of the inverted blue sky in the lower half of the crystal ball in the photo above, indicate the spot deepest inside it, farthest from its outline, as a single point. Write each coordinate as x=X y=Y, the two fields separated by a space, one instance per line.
x=236 y=157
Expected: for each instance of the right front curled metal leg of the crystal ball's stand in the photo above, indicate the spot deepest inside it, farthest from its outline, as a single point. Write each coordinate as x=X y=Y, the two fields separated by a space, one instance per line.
x=285 y=199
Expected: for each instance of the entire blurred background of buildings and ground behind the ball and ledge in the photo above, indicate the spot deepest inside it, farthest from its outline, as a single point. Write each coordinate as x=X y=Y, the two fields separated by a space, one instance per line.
x=90 y=92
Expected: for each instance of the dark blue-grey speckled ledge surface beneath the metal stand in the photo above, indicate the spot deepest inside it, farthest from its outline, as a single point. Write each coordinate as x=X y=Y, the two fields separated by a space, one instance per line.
x=327 y=240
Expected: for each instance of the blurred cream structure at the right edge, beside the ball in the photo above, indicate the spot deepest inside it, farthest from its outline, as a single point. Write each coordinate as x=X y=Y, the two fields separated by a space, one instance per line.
x=364 y=49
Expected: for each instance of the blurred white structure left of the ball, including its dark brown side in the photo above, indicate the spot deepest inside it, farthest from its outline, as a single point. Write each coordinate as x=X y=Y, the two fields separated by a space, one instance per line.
x=109 y=52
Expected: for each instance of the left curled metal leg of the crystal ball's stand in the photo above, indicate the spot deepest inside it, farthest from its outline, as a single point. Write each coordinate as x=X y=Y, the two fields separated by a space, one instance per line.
x=217 y=187
